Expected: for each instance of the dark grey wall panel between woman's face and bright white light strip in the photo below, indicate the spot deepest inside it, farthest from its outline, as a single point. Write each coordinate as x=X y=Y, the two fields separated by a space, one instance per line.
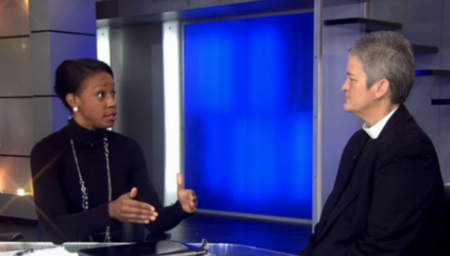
x=137 y=63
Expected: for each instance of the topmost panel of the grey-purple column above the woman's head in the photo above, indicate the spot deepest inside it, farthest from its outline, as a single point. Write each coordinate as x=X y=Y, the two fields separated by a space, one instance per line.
x=58 y=15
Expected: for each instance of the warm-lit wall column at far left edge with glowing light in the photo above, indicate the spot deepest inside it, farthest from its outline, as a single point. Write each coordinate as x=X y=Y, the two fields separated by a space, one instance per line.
x=16 y=136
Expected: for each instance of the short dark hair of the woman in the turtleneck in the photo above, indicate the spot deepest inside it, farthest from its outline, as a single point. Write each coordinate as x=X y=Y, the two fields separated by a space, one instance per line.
x=71 y=74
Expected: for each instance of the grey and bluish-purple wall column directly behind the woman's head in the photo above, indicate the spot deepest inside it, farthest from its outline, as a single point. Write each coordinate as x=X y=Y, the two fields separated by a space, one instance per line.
x=59 y=30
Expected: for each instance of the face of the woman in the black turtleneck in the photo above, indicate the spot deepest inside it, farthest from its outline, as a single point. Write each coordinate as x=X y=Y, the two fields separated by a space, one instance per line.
x=96 y=103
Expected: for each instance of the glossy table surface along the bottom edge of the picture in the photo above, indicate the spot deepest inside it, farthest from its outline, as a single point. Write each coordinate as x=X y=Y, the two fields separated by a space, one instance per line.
x=215 y=249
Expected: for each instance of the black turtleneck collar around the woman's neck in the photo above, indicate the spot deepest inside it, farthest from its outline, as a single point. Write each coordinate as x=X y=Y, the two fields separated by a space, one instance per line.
x=84 y=136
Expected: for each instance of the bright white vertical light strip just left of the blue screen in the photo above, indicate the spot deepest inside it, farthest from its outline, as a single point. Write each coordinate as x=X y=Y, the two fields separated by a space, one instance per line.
x=172 y=115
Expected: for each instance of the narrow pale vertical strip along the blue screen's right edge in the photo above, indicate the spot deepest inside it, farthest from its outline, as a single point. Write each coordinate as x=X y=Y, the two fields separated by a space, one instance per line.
x=318 y=103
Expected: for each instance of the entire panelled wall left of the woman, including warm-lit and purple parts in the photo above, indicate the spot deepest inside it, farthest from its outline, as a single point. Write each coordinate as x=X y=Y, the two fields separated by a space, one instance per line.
x=35 y=37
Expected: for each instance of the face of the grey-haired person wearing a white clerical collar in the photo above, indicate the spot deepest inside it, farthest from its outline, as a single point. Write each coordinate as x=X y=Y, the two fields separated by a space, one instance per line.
x=357 y=97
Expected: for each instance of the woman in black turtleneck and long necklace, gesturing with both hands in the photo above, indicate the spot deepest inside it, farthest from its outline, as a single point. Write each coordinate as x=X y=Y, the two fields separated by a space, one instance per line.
x=88 y=180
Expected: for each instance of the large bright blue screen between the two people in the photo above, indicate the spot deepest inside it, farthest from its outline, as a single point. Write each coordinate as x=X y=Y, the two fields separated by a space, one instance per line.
x=248 y=115
